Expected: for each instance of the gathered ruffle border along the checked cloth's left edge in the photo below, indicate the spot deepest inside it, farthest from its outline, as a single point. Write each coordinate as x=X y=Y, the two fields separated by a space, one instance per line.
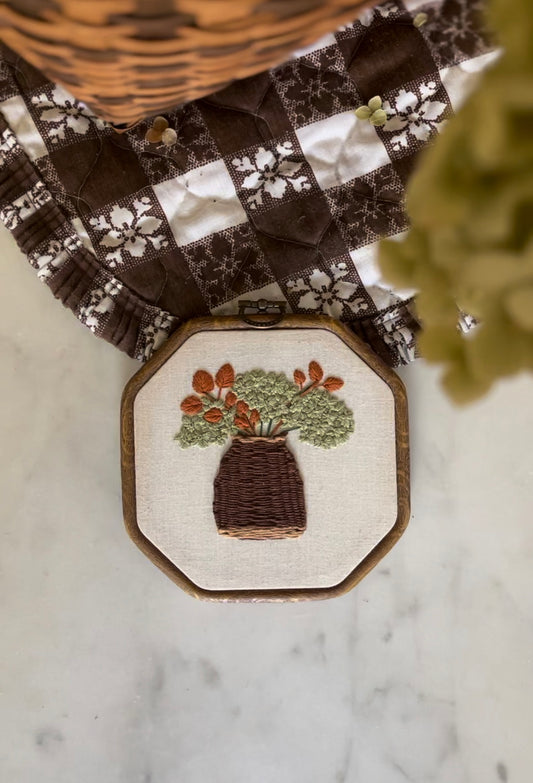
x=54 y=249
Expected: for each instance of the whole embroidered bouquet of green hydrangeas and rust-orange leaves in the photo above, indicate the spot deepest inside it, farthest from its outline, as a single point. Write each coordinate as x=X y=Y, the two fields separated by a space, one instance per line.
x=264 y=404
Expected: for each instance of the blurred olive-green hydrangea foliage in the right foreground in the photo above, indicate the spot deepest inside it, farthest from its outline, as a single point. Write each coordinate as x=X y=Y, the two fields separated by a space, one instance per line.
x=471 y=208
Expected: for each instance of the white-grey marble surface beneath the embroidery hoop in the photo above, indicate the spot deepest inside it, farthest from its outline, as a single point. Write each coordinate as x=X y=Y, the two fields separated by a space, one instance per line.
x=110 y=673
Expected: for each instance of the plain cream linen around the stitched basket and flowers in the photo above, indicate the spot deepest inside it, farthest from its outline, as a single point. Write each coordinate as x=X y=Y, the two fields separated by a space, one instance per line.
x=350 y=491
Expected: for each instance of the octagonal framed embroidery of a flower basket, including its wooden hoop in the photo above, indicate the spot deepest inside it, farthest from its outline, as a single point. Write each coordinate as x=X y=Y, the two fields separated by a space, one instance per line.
x=265 y=458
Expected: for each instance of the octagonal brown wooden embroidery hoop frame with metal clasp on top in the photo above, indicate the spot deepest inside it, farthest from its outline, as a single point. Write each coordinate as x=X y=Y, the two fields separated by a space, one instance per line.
x=264 y=318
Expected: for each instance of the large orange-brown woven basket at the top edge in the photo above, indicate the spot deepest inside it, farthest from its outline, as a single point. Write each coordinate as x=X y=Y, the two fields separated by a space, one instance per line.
x=129 y=59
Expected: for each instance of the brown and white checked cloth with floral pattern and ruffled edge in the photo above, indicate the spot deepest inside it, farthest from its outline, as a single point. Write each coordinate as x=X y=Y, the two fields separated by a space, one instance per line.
x=273 y=188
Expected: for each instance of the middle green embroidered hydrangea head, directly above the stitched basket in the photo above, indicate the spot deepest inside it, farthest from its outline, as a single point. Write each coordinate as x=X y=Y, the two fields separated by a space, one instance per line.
x=269 y=392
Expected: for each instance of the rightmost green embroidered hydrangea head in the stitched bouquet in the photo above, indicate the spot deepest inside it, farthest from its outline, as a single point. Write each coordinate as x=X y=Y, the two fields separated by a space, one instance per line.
x=322 y=419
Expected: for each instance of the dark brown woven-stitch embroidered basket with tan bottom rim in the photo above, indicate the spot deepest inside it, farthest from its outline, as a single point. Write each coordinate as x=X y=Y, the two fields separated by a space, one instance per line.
x=259 y=491
